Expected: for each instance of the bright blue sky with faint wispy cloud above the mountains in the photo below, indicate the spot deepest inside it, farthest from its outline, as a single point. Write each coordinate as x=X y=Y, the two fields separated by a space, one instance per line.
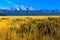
x=37 y=4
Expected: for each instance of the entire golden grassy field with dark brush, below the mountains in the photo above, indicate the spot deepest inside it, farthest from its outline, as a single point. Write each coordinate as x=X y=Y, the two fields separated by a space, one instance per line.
x=29 y=27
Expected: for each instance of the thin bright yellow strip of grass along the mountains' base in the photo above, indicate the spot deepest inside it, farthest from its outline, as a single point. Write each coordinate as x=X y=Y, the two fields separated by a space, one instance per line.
x=39 y=17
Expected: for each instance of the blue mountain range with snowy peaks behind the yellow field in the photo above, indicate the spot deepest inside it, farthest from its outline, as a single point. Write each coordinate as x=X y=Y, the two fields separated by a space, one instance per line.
x=27 y=11
